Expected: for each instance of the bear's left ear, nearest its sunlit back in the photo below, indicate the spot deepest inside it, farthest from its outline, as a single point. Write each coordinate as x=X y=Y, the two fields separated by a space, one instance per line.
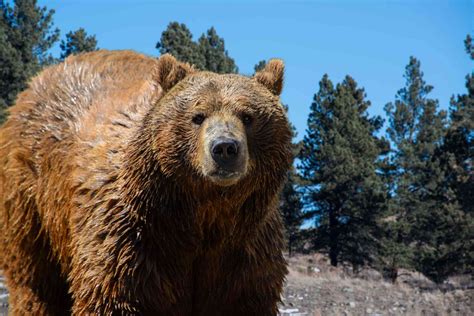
x=170 y=71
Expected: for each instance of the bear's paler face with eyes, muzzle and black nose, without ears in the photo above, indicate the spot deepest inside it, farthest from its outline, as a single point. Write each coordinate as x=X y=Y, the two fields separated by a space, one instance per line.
x=221 y=126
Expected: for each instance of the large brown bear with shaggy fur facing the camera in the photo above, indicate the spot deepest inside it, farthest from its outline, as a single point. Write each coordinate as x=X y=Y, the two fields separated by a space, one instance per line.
x=131 y=185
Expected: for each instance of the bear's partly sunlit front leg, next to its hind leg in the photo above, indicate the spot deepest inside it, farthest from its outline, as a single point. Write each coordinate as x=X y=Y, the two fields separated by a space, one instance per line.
x=123 y=273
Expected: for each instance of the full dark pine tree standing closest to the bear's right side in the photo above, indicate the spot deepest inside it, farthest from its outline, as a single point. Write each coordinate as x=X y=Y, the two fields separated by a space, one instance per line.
x=339 y=160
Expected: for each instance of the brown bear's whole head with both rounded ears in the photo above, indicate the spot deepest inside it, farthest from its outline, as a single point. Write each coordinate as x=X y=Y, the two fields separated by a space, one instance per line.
x=219 y=129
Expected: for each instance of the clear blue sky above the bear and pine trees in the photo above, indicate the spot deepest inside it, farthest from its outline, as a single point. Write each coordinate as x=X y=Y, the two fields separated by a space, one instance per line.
x=370 y=40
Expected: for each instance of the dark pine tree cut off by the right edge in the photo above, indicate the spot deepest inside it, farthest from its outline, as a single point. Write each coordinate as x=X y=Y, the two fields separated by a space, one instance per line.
x=456 y=253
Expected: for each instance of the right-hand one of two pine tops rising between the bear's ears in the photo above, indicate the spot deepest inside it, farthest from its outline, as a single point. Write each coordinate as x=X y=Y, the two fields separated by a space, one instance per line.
x=216 y=57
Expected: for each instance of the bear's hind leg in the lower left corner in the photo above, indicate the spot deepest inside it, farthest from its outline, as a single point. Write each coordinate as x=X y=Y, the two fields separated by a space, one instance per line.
x=32 y=273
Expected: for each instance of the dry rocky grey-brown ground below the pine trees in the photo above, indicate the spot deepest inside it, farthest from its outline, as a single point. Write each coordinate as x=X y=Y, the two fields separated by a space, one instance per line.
x=314 y=288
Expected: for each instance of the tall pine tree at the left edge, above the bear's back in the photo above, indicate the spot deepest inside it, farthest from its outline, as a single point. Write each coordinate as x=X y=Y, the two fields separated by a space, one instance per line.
x=26 y=35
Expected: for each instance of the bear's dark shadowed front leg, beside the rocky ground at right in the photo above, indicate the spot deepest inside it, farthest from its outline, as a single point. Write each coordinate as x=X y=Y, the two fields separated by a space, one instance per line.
x=245 y=278
